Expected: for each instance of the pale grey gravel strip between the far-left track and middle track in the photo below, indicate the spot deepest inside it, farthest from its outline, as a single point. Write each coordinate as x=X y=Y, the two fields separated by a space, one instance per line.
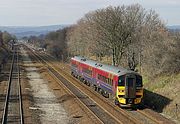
x=45 y=102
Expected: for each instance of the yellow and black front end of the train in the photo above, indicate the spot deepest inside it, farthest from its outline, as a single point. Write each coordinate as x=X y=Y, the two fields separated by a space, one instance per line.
x=129 y=92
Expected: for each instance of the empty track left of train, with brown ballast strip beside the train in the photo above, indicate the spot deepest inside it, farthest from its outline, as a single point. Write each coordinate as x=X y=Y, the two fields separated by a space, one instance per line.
x=100 y=107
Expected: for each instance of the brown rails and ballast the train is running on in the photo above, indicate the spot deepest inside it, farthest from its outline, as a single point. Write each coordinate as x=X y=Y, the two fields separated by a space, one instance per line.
x=116 y=112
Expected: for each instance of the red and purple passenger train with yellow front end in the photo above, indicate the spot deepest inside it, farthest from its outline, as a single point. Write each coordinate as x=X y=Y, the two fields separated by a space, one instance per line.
x=125 y=86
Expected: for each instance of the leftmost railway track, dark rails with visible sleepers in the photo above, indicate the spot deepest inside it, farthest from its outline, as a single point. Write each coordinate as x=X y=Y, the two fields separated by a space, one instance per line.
x=13 y=110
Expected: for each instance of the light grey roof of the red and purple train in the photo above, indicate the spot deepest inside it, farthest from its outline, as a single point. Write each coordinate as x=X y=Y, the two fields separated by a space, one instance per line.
x=109 y=68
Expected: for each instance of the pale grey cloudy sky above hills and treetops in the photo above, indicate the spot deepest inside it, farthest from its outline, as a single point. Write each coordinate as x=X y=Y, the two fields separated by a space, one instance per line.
x=52 y=12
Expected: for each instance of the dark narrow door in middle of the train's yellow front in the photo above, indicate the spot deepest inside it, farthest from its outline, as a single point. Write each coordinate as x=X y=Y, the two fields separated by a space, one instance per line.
x=130 y=86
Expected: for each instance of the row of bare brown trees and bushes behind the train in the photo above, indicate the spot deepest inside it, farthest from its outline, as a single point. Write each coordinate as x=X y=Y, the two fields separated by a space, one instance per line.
x=130 y=36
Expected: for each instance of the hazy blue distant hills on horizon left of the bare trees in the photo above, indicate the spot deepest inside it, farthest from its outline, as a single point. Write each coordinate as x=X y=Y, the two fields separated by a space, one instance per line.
x=21 y=31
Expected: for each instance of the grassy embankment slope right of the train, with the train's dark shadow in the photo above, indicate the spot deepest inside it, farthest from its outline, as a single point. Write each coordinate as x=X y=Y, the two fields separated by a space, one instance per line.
x=162 y=94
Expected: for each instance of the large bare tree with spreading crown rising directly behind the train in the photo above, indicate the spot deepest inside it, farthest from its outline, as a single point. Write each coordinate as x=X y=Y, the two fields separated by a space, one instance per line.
x=114 y=27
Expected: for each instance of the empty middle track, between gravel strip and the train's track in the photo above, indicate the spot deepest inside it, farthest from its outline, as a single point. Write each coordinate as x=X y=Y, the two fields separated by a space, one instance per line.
x=95 y=110
